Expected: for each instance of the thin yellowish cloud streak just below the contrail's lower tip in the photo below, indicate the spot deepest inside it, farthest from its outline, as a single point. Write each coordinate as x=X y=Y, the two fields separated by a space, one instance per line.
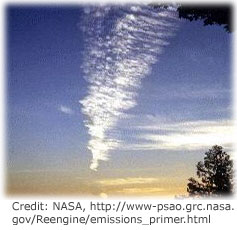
x=127 y=181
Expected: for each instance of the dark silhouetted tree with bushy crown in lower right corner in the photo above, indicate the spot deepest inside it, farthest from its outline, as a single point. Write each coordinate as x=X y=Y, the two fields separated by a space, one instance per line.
x=215 y=174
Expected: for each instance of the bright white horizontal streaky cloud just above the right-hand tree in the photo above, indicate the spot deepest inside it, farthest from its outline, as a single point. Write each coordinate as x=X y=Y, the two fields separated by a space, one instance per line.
x=193 y=135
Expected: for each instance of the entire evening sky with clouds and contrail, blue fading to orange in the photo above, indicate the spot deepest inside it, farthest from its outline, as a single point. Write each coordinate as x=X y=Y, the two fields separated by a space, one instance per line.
x=112 y=101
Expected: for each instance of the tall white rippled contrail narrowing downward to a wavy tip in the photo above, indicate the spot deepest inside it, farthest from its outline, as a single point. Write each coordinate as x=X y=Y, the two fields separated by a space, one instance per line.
x=121 y=45
